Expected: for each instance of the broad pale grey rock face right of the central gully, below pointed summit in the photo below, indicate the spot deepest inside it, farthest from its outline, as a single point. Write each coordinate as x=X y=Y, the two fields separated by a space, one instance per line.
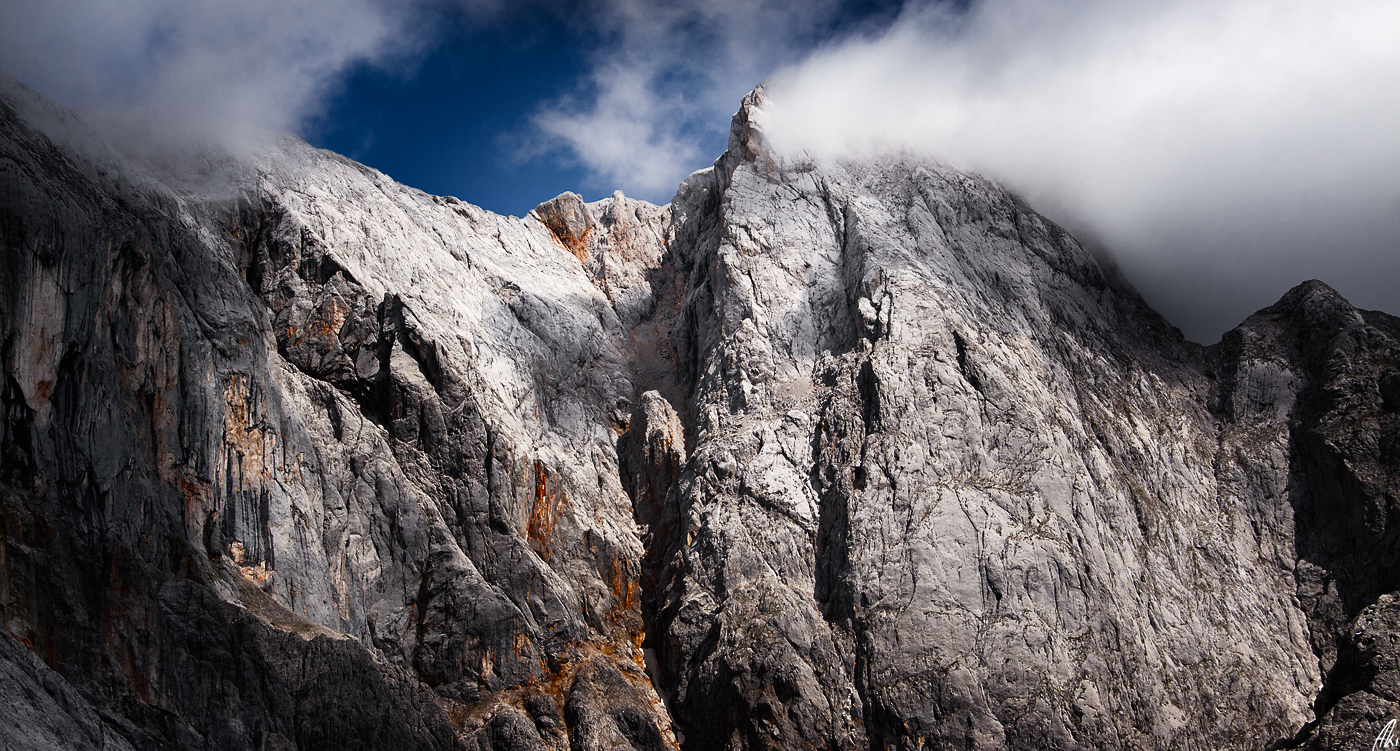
x=951 y=484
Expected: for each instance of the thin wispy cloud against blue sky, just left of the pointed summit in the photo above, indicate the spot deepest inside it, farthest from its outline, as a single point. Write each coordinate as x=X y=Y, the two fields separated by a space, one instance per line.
x=666 y=79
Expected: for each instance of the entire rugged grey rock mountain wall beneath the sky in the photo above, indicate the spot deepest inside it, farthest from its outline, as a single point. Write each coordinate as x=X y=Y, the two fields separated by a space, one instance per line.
x=821 y=455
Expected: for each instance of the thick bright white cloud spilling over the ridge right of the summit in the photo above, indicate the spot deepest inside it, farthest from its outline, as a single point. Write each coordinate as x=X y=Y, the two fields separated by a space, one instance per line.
x=1224 y=151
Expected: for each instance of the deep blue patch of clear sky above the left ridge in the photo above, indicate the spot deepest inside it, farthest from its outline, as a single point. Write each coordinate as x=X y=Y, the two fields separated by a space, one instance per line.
x=457 y=121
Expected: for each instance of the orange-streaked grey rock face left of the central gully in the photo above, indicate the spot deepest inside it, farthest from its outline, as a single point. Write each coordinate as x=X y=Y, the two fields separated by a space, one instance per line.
x=300 y=456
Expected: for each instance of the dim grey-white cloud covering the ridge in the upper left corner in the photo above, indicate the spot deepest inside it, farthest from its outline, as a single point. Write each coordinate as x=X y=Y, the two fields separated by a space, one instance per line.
x=170 y=75
